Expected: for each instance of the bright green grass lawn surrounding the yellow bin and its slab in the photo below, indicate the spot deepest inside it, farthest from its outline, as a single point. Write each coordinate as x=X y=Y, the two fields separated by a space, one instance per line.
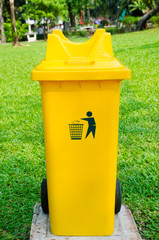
x=22 y=140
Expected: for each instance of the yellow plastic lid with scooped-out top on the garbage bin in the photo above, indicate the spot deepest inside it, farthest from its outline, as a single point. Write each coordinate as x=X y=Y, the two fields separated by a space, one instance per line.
x=90 y=60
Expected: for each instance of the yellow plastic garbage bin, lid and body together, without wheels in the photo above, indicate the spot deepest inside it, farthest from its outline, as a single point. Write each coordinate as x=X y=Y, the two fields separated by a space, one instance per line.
x=80 y=88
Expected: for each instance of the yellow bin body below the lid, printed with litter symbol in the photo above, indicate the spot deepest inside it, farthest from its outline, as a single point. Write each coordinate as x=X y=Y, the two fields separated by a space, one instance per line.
x=80 y=120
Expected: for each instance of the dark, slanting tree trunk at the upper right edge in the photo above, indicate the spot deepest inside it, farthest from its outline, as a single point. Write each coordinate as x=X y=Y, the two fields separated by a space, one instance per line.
x=142 y=22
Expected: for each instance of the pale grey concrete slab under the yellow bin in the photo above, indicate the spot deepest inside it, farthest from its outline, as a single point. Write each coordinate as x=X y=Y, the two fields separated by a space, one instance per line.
x=125 y=227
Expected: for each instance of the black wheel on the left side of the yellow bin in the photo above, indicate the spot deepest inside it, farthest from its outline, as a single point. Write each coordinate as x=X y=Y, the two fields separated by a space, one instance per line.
x=44 y=197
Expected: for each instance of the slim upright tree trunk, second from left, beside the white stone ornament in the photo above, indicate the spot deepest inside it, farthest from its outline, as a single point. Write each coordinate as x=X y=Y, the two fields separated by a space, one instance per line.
x=15 y=39
